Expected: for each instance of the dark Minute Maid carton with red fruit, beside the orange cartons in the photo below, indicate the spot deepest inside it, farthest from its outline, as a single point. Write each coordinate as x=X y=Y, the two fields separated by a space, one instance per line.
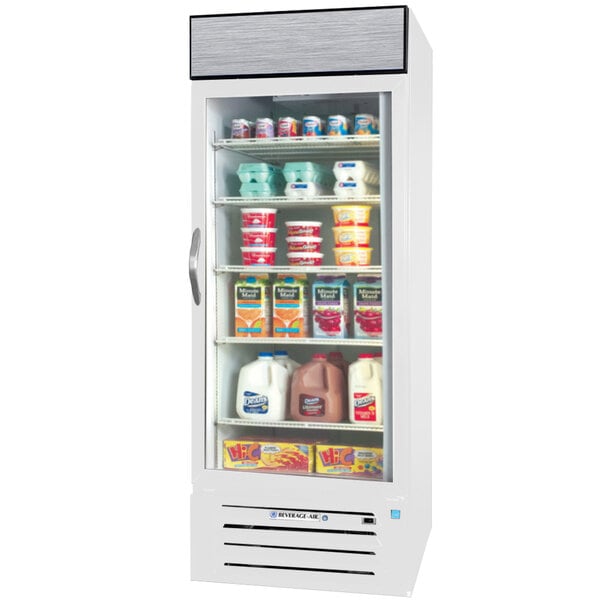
x=330 y=307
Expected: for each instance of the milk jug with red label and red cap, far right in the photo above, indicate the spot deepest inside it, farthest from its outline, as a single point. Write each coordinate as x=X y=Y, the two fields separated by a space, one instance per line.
x=365 y=398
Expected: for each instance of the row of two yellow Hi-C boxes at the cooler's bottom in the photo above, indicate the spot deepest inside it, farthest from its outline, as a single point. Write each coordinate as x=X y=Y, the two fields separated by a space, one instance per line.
x=302 y=458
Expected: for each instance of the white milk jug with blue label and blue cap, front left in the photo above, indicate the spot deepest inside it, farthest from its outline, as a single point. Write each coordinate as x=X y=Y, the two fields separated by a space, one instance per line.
x=262 y=390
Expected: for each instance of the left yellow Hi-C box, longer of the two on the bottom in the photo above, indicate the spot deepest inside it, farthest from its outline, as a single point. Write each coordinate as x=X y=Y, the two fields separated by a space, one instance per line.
x=259 y=455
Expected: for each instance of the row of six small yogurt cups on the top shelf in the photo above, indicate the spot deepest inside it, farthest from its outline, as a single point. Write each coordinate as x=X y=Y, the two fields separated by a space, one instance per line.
x=308 y=126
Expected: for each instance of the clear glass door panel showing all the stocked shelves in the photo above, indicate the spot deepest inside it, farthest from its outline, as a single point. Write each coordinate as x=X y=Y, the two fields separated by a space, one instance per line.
x=296 y=257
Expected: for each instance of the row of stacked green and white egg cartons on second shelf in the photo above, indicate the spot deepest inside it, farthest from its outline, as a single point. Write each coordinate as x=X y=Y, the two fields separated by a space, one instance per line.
x=346 y=179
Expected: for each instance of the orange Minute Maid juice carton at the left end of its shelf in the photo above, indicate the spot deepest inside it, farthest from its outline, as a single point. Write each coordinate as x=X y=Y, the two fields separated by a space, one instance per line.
x=253 y=306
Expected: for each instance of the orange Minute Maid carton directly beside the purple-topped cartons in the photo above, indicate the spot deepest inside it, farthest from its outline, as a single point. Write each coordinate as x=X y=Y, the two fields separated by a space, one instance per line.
x=290 y=306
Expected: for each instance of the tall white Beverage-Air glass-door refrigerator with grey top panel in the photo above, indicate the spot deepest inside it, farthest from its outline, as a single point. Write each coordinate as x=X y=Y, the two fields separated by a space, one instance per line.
x=321 y=503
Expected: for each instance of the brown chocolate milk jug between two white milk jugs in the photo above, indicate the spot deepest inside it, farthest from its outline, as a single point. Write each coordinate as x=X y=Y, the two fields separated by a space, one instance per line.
x=318 y=392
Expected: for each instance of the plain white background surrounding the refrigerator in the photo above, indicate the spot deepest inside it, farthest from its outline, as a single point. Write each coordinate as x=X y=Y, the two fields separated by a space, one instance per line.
x=95 y=301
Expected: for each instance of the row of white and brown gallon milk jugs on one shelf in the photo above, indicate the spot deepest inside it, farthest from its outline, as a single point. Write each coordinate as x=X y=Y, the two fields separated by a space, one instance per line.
x=327 y=389
